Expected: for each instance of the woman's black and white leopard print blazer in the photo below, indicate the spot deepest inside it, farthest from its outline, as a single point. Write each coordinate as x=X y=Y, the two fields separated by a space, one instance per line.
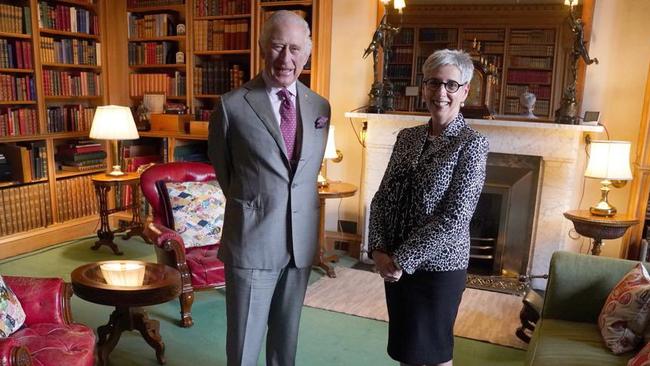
x=422 y=209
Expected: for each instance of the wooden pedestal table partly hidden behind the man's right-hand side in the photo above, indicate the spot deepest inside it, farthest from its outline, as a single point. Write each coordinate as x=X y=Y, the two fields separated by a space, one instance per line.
x=332 y=190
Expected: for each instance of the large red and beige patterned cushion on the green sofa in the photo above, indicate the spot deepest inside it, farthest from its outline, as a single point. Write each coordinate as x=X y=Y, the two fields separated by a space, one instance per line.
x=623 y=318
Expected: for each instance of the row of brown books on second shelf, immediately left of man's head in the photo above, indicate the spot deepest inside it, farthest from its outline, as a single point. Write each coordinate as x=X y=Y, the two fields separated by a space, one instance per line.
x=219 y=35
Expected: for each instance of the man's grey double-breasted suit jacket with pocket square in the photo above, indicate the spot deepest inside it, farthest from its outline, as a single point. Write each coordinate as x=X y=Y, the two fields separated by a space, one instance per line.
x=271 y=214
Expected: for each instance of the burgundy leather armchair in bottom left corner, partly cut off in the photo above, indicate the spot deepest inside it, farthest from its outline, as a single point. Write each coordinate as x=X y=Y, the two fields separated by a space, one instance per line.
x=48 y=337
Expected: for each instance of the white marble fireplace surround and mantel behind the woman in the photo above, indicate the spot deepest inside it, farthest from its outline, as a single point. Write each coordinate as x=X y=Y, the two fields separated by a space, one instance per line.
x=560 y=146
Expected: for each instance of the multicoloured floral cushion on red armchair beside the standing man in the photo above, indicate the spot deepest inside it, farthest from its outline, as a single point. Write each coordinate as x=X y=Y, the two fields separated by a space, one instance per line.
x=198 y=209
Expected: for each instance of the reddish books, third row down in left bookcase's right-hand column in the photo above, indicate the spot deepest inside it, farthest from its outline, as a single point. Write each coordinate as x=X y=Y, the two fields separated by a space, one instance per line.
x=71 y=83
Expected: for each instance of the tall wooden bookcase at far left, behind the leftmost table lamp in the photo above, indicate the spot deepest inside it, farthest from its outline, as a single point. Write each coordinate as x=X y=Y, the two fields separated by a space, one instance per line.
x=59 y=78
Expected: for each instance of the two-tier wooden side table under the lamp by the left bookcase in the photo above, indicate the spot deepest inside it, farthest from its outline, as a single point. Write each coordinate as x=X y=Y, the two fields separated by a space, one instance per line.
x=103 y=184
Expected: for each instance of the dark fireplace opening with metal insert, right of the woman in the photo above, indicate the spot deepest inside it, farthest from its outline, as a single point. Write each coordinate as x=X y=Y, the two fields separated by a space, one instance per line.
x=502 y=227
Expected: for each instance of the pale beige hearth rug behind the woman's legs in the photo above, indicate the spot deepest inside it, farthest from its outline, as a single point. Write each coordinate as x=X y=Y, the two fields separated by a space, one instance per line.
x=483 y=315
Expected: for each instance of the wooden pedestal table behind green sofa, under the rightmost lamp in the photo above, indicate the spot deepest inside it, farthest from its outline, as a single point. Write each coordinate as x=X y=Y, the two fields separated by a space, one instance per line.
x=600 y=227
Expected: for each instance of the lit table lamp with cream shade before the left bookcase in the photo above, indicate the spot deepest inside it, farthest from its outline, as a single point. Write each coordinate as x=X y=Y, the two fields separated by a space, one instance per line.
x=113 y=122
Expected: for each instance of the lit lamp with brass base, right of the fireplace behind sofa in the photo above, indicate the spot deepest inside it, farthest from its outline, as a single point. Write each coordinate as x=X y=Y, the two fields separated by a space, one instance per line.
x=609 y=161
